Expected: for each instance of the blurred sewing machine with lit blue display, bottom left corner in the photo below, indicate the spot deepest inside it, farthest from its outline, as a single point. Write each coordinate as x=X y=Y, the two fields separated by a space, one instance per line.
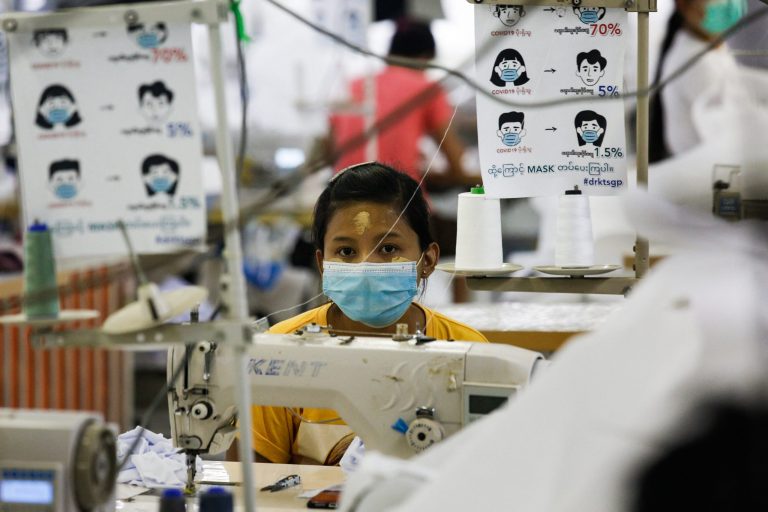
x=56 y=461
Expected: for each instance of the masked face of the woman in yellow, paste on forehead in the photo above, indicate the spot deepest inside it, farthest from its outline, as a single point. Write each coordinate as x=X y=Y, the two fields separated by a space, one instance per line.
x=376 y=292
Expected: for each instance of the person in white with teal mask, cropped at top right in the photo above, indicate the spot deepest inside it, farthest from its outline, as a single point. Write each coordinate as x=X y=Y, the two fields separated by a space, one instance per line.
x=693 y=25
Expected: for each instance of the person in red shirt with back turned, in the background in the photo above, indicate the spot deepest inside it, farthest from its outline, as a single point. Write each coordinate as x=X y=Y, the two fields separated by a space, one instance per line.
x=410 y=107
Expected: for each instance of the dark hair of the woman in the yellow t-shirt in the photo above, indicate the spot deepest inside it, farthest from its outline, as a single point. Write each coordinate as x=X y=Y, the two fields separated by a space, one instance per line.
x=378 y=183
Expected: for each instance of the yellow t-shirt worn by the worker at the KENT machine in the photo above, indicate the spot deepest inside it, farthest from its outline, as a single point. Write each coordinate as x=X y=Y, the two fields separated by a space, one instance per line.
x=283 y=438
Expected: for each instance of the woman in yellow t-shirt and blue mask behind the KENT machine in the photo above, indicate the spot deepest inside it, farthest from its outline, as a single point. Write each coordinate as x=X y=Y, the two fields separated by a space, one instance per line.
x=372 y=259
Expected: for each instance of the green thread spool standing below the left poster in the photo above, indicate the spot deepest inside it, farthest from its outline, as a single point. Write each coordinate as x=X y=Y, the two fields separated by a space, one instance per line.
x=41 y=297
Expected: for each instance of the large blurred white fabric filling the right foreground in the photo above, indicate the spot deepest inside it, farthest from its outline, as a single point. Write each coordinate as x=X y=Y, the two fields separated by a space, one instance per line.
x=576 y=440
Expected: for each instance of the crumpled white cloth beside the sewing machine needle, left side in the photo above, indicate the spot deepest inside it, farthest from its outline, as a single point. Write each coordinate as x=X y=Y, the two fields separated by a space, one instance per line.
x=154 y=462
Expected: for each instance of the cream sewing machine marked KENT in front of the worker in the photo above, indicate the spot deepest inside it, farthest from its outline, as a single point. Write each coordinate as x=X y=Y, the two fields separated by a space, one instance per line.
x=399 y=397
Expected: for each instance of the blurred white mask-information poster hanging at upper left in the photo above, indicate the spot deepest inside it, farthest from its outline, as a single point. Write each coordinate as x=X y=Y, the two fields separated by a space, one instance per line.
x=107 y=130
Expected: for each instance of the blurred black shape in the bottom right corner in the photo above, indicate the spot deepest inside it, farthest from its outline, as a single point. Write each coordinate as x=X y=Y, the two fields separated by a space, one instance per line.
x=720 y=465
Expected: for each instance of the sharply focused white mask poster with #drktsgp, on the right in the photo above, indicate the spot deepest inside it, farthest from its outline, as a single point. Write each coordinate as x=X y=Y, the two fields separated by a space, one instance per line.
x=528 y=54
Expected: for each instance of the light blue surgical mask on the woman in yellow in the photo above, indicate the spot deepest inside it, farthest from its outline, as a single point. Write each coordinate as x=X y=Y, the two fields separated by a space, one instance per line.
x=376 y=294
